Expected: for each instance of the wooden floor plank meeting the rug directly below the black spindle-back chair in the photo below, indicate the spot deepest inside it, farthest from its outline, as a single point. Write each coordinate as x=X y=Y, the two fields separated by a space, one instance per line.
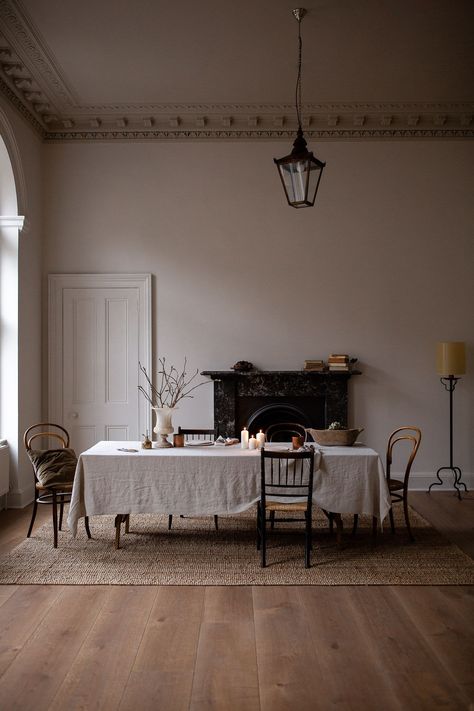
x=289 y=671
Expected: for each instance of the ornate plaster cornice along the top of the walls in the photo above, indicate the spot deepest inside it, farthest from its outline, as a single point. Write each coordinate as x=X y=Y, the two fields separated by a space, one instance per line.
x=31 y=80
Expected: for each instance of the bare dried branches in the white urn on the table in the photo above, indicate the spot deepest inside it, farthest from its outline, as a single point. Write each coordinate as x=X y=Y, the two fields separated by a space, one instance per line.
x=171 y=385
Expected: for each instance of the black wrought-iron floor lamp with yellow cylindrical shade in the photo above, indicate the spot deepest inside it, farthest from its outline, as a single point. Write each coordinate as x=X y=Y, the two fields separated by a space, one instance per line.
x=450 y=361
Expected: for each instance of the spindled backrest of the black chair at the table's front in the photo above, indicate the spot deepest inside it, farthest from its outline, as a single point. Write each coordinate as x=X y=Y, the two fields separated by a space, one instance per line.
x=287 y=474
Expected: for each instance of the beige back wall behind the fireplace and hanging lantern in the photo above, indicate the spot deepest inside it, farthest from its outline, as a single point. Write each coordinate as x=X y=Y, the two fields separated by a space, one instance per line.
x=381 y=268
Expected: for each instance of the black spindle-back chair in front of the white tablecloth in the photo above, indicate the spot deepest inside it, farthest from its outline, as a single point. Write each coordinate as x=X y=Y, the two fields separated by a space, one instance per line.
x=285 y=475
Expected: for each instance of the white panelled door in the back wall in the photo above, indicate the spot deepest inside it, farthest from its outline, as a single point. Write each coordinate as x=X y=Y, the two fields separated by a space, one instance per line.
x=97 y=341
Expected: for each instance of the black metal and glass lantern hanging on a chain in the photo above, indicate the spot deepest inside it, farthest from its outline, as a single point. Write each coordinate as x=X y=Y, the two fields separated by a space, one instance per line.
x=301 y=171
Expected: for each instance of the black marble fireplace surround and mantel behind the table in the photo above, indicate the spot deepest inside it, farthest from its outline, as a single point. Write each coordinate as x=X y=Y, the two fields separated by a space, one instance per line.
x=313 y=398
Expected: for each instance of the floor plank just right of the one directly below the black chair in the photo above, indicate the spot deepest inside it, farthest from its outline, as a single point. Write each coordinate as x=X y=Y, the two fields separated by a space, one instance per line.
x=347 y=657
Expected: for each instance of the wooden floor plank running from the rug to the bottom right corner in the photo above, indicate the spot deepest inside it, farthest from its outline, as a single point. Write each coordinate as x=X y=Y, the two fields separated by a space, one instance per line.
x=413 y=670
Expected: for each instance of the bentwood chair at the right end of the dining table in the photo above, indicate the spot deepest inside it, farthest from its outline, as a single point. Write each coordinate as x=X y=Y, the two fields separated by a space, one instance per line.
x=399 y=487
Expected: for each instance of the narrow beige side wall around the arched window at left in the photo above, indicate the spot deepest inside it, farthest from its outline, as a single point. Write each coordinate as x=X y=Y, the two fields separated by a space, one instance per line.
x=25 y=151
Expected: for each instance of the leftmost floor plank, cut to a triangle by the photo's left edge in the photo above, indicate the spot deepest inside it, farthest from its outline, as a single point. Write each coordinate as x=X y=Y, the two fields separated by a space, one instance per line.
x=20 y=615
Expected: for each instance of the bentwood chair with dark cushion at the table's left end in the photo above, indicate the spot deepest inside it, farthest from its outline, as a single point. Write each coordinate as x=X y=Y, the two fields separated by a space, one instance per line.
x=53 y=471
